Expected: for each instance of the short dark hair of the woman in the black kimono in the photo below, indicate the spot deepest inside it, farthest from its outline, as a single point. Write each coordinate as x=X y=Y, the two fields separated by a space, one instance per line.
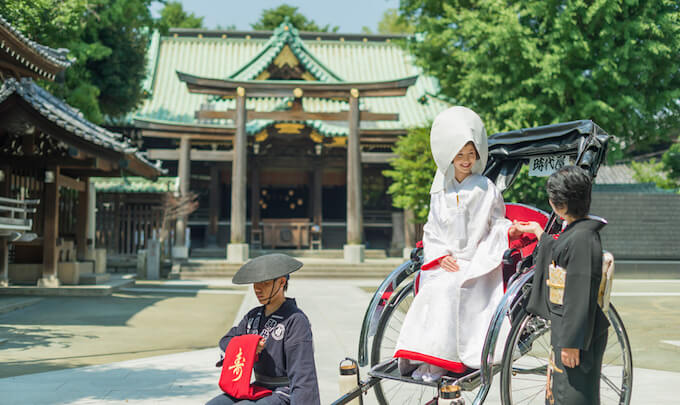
x=570 y=187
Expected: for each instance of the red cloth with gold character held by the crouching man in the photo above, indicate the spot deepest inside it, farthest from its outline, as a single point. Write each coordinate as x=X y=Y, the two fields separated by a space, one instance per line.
x=237 y=369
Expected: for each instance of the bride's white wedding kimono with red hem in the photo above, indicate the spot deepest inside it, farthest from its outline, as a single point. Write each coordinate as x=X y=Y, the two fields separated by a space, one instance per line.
x=447 y=322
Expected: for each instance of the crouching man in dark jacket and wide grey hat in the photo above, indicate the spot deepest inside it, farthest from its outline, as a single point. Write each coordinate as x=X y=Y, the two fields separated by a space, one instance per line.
x=286 y=354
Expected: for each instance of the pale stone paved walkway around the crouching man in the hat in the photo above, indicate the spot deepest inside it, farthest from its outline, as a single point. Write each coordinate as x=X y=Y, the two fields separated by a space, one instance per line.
x=335 y=308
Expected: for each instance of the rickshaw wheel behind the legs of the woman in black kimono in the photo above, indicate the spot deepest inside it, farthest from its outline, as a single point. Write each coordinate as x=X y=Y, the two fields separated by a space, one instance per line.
x=525 y=362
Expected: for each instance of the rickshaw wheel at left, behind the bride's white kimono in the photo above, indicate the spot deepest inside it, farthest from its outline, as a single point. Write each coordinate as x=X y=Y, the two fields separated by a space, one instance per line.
x=390 y=392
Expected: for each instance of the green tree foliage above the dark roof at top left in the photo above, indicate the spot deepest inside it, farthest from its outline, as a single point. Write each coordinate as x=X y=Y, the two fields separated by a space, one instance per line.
x=107 y=38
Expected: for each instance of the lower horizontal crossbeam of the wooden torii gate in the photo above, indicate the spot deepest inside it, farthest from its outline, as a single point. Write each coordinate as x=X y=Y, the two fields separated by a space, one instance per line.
x=297 y=115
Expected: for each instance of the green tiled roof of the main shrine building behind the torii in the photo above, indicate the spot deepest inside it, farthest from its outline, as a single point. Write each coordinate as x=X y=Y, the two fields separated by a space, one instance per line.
x=244 y=57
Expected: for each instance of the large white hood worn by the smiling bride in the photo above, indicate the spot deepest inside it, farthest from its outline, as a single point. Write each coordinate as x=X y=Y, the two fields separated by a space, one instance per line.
x=451 y=130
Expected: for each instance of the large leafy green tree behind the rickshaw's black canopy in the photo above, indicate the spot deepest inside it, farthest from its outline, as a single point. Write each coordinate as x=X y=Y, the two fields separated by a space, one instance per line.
x=535 y=62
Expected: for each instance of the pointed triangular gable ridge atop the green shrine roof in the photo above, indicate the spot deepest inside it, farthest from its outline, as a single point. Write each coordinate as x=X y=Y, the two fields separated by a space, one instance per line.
x=285 y=34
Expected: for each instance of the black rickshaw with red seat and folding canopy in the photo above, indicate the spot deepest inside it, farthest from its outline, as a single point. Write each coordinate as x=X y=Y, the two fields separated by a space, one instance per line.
x=524 y=362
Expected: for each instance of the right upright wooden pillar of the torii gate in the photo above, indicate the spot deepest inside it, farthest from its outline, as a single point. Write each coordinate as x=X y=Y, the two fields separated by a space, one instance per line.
x=354 y=210
